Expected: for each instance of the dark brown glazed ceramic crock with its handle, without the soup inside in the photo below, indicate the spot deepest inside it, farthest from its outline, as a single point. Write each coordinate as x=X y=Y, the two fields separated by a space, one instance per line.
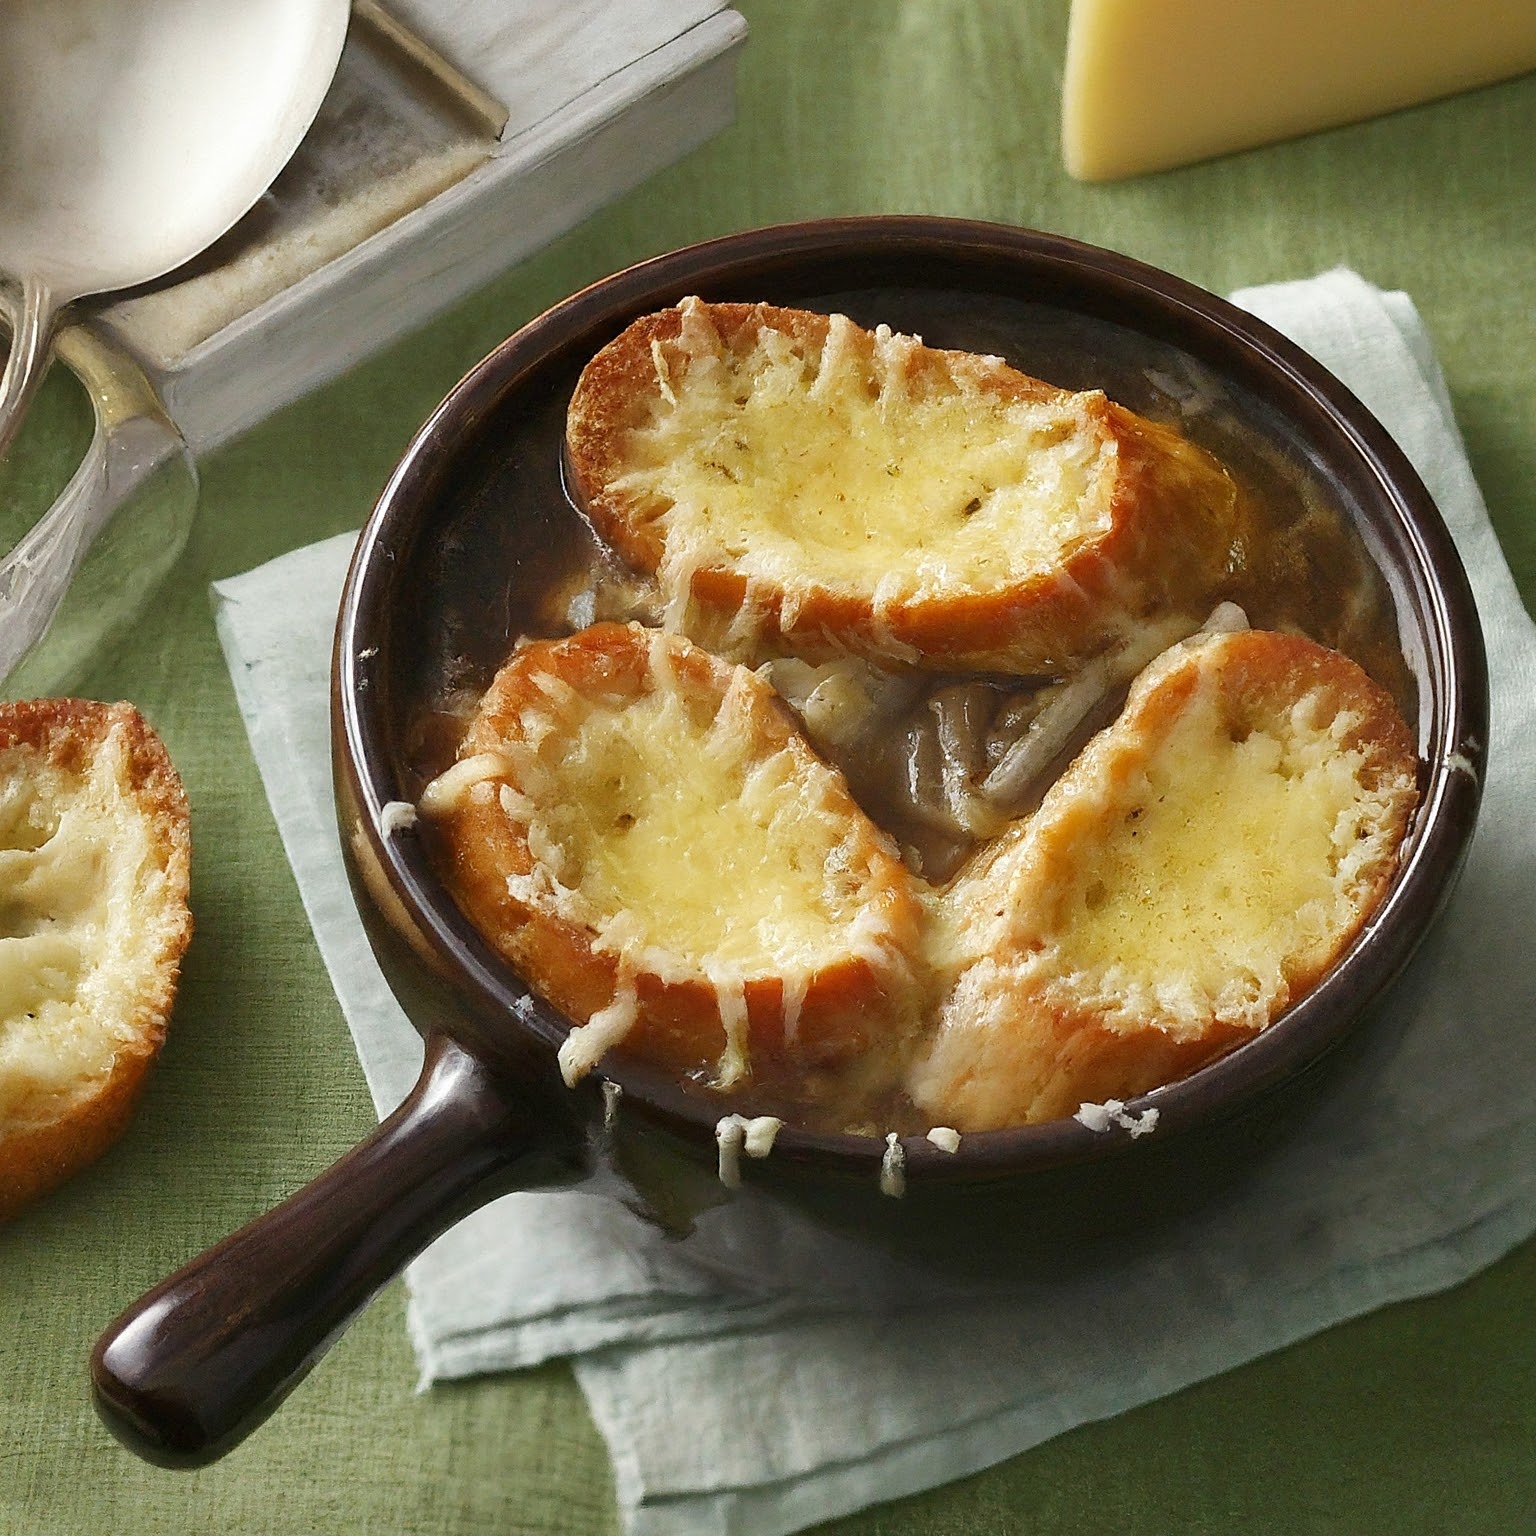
x=472 y=528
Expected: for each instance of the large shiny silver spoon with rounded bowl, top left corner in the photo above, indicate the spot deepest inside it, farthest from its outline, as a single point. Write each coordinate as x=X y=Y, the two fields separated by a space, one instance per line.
x=134 y=136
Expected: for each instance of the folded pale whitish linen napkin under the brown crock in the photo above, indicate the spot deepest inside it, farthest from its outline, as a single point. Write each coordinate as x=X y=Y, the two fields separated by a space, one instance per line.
x=758 y=1417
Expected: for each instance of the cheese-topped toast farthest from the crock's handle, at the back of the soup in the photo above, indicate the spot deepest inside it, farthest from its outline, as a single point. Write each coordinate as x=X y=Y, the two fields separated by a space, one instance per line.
x=796 y=480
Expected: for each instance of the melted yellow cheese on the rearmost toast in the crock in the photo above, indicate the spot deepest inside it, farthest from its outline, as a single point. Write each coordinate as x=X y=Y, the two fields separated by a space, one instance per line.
x=830 y=468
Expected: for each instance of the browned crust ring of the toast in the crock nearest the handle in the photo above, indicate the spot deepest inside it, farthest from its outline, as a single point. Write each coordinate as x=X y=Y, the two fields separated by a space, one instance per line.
x=855 y=1001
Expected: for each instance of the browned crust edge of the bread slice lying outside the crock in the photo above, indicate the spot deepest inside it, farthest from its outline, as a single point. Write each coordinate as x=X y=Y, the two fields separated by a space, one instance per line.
x=48 y=1136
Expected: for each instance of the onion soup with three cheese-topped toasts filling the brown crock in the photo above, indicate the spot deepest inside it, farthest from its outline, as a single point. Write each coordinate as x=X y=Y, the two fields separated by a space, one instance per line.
x=893 y=741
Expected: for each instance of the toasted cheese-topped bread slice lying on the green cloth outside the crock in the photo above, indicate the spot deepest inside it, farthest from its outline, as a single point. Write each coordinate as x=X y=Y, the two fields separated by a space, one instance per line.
x=94 y=855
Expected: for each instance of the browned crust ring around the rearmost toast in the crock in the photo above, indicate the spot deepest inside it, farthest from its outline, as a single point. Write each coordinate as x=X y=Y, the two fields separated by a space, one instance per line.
x=1173 y=525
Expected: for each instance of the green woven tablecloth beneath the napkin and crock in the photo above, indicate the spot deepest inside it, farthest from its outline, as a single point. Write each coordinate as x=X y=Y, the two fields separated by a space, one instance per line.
x=1417 y=1420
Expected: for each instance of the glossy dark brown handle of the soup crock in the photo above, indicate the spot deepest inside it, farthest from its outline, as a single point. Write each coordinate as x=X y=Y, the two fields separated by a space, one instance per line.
x=194 y=1366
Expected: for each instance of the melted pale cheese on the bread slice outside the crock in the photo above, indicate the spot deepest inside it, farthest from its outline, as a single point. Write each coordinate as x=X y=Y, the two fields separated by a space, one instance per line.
x=73 y=935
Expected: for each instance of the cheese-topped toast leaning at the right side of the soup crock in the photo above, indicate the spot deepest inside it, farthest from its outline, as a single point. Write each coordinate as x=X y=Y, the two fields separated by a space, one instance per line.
x=1196 y=872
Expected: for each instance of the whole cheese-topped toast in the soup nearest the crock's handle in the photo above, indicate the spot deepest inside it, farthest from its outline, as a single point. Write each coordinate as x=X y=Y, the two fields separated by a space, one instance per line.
x=644 y=833
